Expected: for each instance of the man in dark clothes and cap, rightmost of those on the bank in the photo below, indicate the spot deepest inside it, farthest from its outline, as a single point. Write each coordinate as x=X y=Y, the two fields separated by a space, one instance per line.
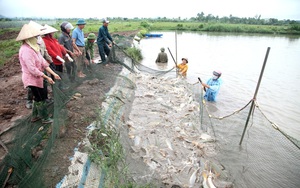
x=104 y=41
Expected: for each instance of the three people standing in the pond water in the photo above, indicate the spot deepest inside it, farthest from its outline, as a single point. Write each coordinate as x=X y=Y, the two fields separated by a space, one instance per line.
x=212 y=86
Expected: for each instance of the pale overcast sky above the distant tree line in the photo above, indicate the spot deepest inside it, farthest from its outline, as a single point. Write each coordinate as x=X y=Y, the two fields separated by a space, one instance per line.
x=279 y=9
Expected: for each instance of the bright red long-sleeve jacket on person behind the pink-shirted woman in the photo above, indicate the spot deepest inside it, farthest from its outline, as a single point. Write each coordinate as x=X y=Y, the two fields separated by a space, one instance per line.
x=54 y=49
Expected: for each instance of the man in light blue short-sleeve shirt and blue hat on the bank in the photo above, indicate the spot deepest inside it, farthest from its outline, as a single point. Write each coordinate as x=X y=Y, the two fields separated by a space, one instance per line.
x=79 y=45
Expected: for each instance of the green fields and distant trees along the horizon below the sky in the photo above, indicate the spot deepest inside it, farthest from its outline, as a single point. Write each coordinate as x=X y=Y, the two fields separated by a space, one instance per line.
x=201 y=22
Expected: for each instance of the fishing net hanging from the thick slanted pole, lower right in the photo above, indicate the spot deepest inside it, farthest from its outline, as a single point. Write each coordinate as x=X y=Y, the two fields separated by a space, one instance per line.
x=267 y=156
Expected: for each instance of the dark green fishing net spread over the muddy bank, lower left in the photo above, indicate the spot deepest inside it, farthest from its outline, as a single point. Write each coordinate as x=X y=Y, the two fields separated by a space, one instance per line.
x=34 y=151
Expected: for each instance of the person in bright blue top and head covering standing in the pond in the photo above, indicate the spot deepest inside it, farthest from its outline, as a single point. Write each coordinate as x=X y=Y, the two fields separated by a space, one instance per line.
x=212 y=86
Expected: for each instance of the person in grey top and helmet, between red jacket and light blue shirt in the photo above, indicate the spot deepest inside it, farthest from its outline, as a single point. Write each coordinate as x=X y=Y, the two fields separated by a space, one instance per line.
x=66 y=41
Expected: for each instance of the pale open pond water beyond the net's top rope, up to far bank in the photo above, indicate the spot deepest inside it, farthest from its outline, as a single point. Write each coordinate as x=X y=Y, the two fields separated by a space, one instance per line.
x=240 y=58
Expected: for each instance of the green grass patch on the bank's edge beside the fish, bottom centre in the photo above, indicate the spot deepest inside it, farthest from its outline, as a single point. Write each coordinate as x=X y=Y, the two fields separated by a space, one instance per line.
x=108 y=153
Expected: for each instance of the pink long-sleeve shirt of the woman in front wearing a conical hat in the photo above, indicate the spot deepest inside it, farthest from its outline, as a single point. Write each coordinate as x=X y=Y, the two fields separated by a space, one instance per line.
x=33 y=65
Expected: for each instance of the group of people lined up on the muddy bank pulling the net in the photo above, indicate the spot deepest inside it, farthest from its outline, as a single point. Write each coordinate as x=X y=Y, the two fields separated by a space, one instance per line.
x=41 y=54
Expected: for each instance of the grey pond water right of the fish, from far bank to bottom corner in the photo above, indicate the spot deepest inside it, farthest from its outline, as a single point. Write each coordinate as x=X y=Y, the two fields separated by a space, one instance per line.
x=240 y=58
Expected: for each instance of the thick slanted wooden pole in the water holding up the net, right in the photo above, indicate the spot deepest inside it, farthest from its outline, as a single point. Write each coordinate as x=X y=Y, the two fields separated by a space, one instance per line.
x=256 y=91
